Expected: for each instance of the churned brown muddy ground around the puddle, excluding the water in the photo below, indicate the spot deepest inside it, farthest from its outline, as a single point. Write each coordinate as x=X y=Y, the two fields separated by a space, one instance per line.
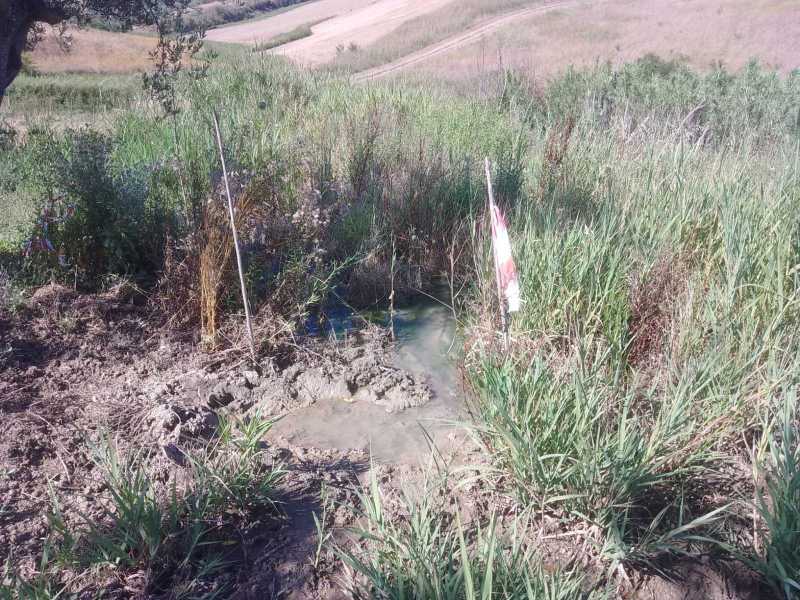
x=75 y=369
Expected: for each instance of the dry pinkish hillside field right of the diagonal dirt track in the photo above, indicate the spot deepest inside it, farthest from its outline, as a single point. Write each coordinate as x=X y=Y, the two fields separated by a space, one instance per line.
x=583 y=33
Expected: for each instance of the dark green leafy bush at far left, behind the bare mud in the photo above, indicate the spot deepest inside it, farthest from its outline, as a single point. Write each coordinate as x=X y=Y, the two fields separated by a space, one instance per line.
x=96 y=222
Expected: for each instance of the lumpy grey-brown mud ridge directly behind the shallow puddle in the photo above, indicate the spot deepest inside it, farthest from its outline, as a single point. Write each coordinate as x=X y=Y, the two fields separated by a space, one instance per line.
x=358 y=371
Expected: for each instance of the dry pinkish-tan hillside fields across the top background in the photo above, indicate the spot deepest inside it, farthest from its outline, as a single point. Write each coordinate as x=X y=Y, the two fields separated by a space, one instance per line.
x=571 y=33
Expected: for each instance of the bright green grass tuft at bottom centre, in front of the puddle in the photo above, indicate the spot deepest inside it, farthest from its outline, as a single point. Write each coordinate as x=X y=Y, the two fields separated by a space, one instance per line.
x=432 y=554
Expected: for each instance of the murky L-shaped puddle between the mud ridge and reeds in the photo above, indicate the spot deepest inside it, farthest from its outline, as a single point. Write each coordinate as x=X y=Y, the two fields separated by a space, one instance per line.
x=426 y=345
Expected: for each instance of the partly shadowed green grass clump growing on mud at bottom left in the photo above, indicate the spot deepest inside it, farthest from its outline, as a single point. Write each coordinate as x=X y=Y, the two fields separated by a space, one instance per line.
x=177 y=536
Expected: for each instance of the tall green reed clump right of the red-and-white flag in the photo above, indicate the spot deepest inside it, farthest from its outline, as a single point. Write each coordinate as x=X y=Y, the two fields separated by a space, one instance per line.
x=659 y=278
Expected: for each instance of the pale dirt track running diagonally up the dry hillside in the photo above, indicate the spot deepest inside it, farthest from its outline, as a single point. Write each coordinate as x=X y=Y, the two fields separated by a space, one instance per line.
x=462 y=39
